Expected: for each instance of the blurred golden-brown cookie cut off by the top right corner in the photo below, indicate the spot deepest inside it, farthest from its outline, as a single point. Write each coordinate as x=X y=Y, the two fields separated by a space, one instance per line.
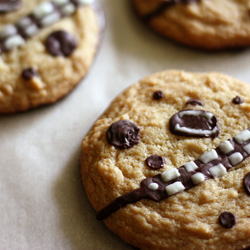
x=205 y=24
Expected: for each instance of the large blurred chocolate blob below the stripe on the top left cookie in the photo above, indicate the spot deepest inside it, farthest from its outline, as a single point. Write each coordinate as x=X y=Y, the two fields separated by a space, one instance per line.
x=60 y=43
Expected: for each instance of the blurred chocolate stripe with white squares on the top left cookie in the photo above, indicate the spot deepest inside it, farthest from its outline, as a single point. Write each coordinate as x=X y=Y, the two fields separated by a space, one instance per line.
x=45 y=14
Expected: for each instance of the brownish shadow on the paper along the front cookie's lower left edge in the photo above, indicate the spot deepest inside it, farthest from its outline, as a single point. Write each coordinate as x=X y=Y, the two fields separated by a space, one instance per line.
x=77 y=217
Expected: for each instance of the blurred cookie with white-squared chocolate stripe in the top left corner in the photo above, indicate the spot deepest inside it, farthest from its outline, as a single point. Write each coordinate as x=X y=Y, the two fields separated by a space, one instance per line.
x=46 y=48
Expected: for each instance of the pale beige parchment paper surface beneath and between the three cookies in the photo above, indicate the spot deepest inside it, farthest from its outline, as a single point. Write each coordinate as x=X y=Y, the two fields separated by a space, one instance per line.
x=42 y=202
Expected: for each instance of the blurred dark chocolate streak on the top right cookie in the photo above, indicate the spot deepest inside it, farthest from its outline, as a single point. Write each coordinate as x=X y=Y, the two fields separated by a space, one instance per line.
x=164 y=6
